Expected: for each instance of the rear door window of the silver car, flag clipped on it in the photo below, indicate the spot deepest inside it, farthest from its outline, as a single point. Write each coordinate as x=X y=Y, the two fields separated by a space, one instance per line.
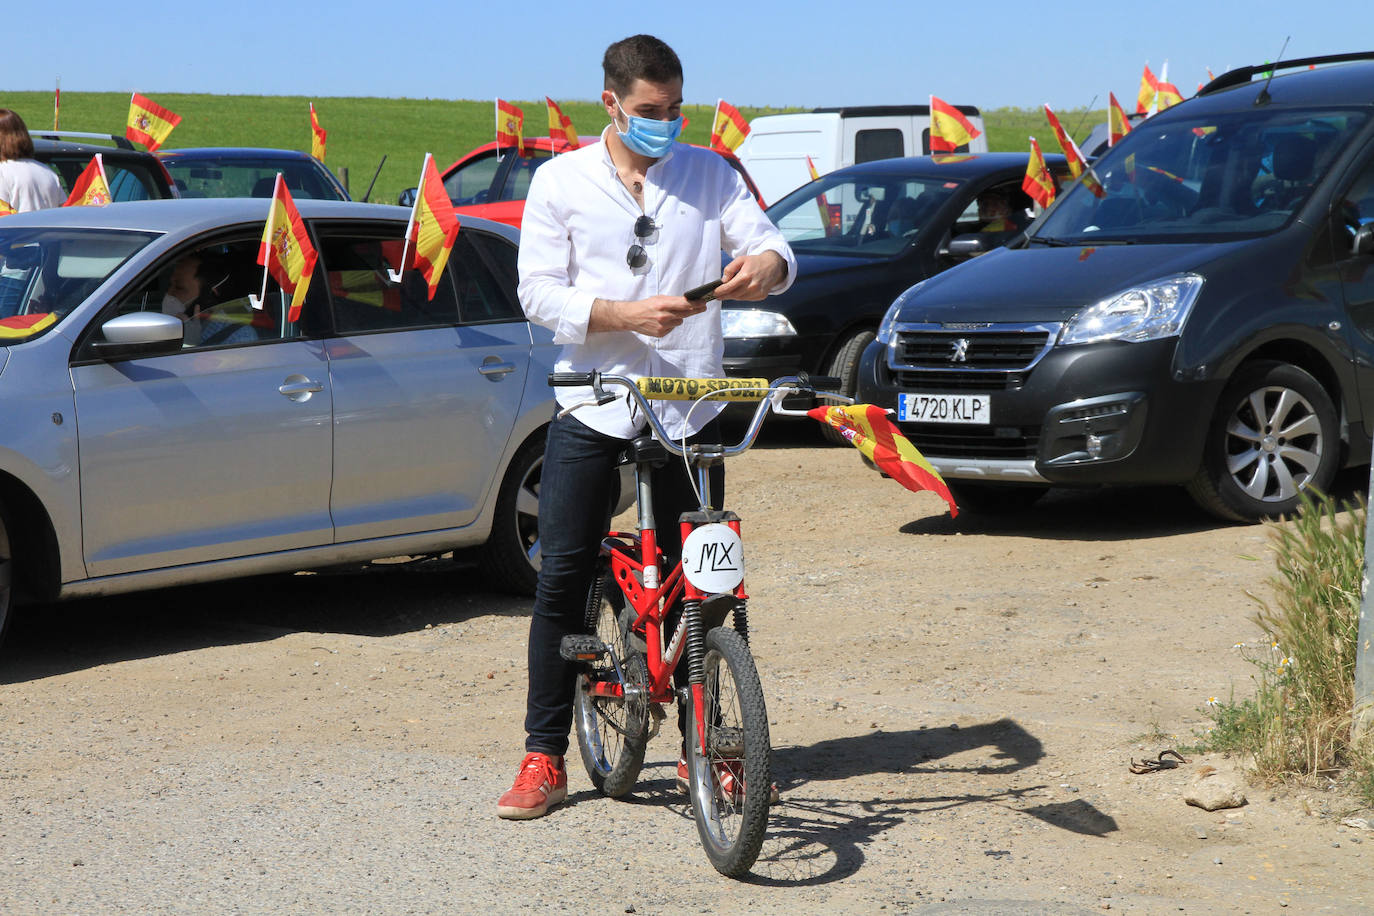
x=365 y=293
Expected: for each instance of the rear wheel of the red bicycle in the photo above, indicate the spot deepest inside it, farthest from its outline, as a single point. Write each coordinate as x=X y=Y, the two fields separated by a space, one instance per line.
x=612 y=731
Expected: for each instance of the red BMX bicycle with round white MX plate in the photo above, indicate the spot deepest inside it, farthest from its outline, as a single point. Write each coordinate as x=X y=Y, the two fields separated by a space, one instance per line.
x=634 y=645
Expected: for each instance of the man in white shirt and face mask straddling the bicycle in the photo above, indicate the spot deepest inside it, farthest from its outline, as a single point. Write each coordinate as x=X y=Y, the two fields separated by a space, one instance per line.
x=613 y=236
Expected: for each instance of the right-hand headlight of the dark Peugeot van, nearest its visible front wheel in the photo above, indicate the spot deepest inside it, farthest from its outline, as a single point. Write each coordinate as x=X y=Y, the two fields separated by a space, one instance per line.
x=1145 y=312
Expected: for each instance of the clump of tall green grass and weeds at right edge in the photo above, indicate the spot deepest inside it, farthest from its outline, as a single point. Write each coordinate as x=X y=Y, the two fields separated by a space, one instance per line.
x=1299 y=724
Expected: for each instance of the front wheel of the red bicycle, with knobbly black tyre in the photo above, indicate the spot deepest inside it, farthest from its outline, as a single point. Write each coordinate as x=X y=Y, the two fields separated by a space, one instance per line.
x=730 y=785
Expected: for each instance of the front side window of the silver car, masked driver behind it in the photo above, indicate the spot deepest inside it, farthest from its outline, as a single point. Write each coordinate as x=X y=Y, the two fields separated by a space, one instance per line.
x=212 y=290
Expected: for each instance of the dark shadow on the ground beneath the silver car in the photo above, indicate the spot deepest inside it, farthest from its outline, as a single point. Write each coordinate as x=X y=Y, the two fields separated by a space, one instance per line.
x=376 y=601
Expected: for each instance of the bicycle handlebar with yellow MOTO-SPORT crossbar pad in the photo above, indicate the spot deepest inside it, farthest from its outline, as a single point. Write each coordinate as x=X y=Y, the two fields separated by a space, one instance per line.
x=674 y=389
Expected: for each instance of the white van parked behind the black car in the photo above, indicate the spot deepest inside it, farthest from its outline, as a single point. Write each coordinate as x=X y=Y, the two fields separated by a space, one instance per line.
x=778 y=145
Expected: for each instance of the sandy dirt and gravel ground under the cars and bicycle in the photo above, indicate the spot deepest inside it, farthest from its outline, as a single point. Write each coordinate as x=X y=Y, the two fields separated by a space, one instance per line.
x=954 y=707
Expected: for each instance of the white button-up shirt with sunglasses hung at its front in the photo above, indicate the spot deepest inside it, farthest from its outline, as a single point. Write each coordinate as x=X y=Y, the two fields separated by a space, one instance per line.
x=578 y=229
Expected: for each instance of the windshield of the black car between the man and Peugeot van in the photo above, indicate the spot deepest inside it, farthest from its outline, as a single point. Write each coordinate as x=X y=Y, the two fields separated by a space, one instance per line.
x=875 y=215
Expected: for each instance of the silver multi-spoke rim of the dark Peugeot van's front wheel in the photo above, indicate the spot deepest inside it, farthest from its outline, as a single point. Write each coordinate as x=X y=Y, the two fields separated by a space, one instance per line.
x=1274 y=444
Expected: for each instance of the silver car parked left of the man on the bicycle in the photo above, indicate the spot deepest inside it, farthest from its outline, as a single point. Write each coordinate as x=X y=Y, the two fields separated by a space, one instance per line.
x=159 y=429
